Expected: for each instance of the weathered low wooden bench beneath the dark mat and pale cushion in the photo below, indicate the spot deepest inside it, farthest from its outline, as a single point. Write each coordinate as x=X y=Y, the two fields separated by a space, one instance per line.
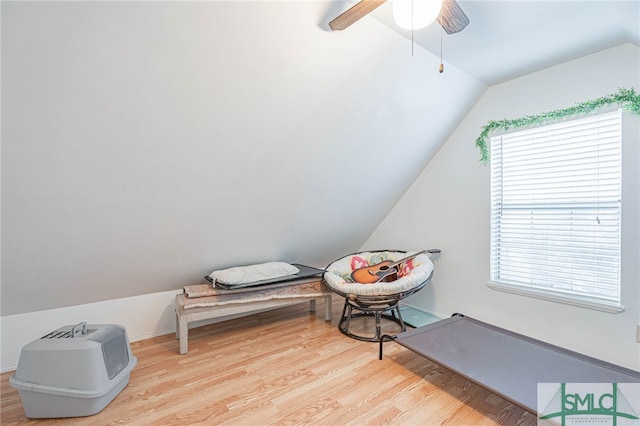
x=233 y=305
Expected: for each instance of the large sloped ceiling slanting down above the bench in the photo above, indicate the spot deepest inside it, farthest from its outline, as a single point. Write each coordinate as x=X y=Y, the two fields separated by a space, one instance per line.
x=145 y=144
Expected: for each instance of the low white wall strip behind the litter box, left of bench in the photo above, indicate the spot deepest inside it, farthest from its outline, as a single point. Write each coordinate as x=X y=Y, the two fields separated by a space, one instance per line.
x=143 y=316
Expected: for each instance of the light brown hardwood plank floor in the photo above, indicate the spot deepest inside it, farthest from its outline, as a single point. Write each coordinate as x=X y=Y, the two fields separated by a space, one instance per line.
x=285 y=367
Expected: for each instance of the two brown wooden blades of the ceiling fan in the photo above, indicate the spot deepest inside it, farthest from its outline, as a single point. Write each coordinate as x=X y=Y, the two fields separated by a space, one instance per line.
x=452 y=18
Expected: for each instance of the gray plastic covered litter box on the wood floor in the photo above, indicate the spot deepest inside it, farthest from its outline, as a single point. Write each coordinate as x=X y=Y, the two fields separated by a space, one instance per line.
x=73 y=371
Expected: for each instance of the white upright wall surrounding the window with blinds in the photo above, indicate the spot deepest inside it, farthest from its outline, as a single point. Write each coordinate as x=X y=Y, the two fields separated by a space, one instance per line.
x=448 y=208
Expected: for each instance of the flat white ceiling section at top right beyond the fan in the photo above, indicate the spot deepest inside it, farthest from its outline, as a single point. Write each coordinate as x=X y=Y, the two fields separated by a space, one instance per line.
x=506 y=39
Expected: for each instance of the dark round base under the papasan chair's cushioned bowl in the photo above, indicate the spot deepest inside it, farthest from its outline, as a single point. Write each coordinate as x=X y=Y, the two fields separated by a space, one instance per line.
x=389 y=311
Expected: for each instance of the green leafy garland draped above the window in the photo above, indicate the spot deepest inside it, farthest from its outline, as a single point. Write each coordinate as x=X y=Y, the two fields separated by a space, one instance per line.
x=625 y=98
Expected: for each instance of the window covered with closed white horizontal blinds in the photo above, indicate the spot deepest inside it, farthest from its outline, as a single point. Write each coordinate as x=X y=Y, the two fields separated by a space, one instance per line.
x=556 y=211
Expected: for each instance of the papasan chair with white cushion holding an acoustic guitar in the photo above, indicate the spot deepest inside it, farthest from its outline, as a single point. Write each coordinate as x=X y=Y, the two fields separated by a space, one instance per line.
x=373 y=283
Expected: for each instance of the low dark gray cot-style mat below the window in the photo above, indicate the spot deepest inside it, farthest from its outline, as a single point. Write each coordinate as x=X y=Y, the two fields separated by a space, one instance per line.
x=508 y=364
